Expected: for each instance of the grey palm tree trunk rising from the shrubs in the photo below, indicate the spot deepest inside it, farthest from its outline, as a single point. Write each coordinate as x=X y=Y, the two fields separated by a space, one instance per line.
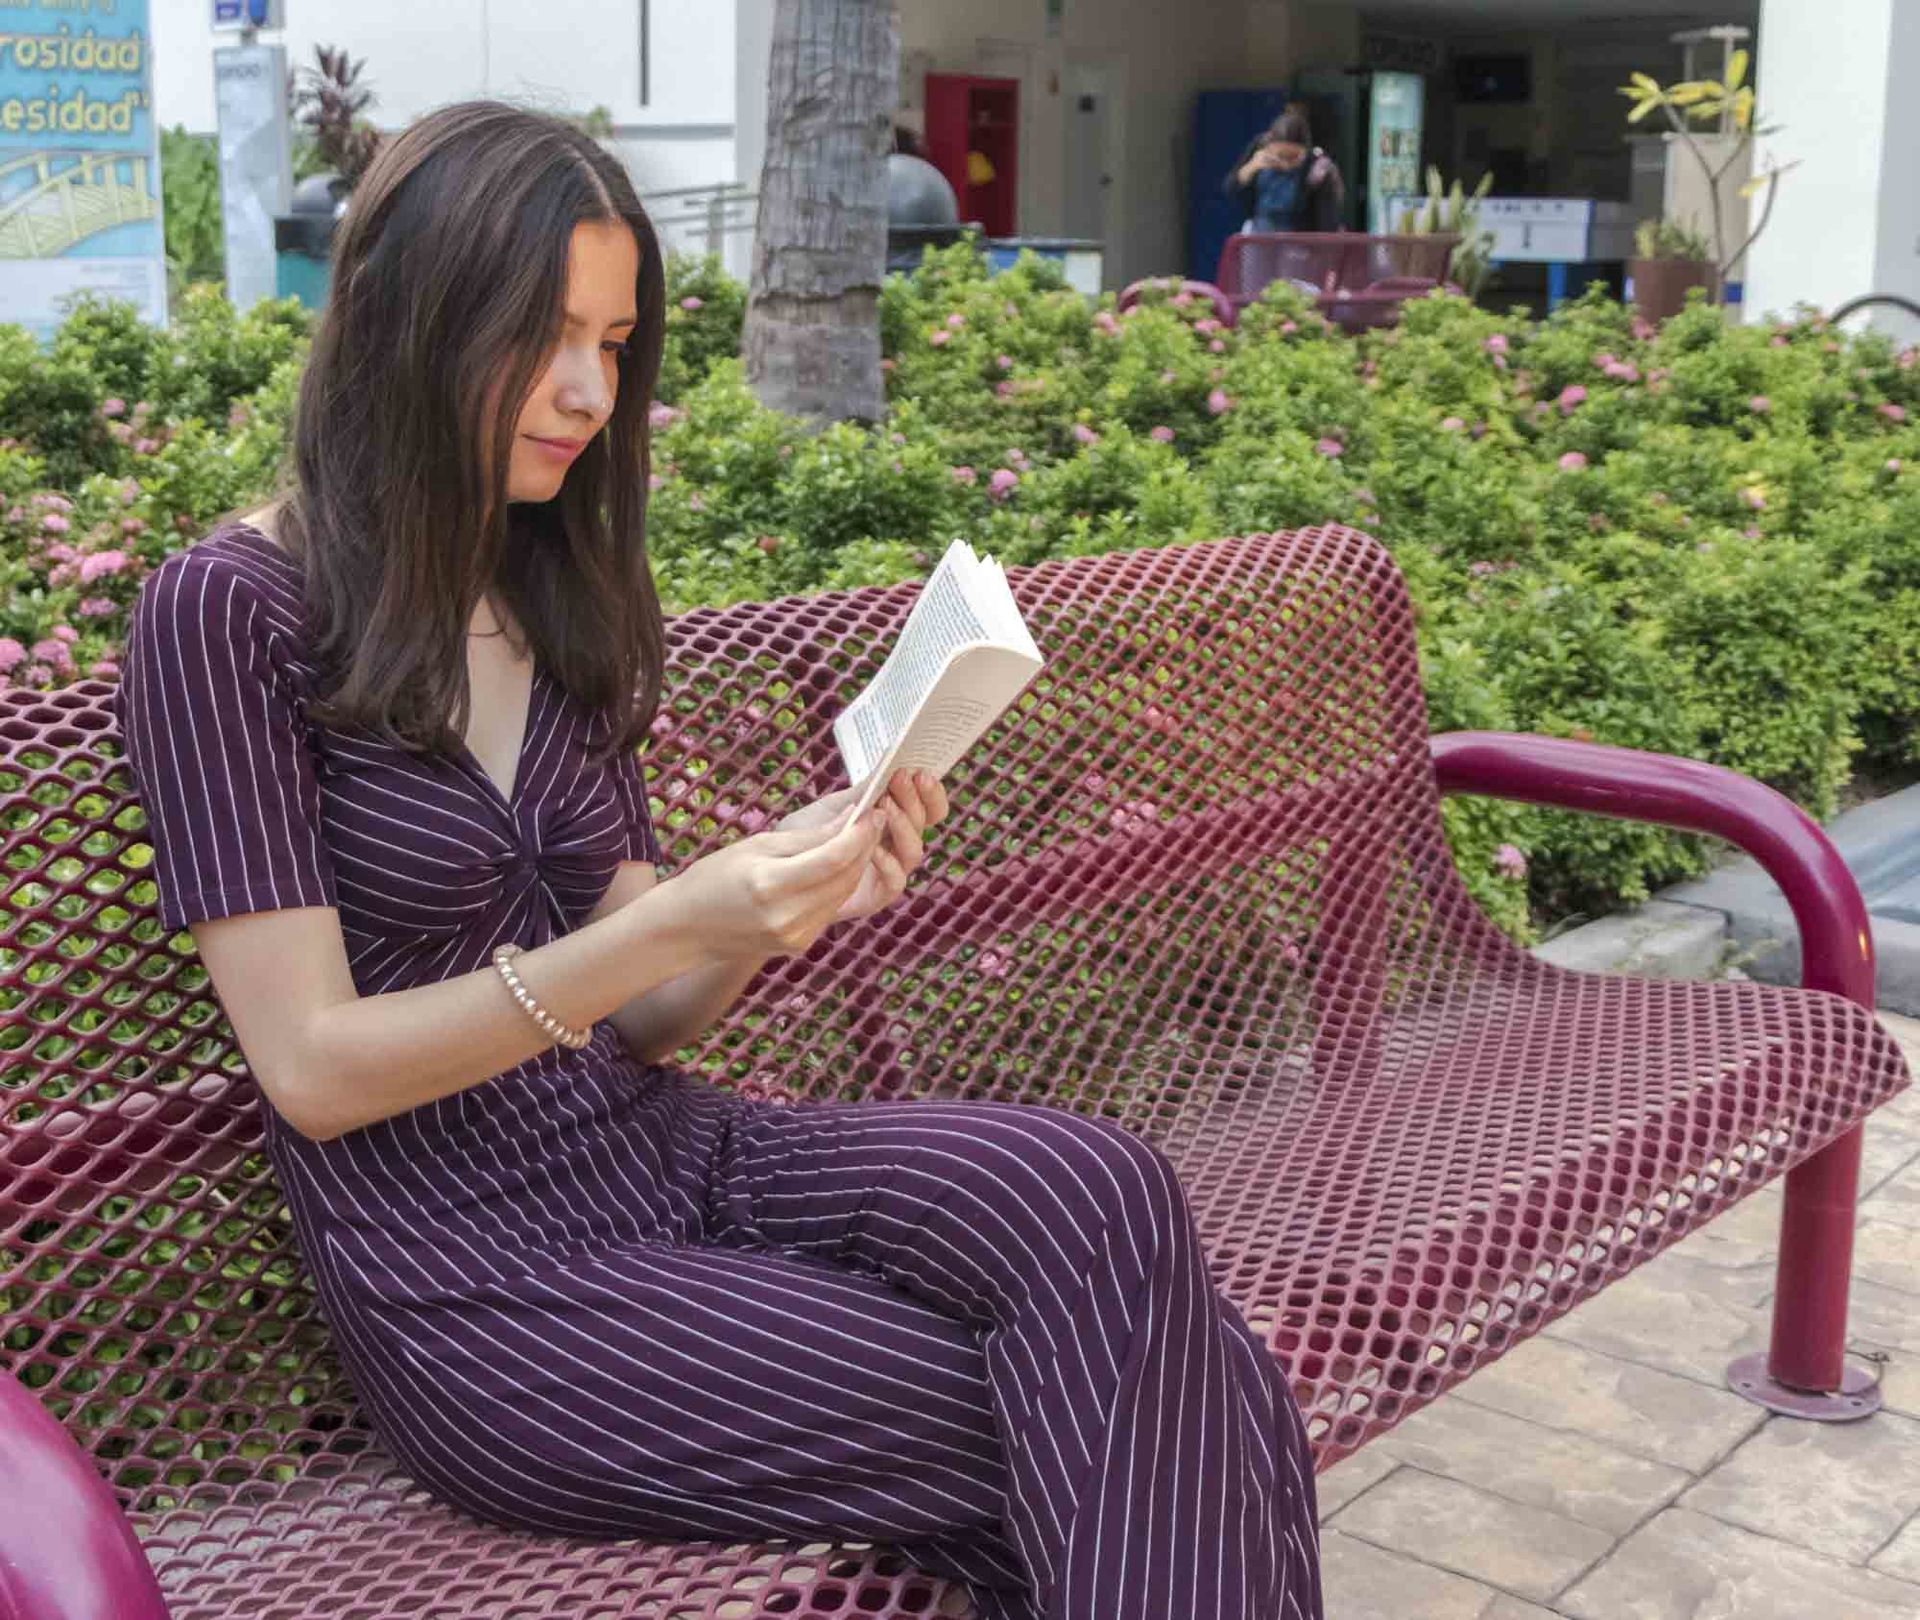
x=821 y=243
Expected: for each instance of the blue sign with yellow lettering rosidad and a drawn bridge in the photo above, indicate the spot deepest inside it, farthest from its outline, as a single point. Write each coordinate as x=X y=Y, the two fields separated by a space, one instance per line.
x=80 y=160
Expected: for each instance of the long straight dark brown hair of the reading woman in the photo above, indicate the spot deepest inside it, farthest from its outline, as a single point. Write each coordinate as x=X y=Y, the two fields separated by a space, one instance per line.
x=448 y=295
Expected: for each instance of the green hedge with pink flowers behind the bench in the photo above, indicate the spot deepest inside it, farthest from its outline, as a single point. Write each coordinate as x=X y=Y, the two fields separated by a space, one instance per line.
x=1702 y=540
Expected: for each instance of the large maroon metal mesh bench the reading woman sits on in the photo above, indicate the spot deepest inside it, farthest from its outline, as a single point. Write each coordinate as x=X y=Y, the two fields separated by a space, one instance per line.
x=1195 y=884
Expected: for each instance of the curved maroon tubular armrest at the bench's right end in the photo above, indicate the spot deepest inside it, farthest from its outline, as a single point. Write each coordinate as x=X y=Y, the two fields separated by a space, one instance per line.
x=1836 y=938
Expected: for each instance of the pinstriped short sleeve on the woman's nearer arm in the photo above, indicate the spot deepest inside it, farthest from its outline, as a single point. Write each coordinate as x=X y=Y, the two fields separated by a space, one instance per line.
x=218 y=751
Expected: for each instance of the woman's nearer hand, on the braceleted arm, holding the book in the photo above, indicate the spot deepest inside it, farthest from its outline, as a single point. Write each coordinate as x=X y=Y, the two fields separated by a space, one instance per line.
x=777 y=893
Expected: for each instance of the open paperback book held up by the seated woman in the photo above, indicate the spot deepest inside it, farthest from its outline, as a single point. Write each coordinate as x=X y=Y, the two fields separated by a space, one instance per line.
x=963 y=657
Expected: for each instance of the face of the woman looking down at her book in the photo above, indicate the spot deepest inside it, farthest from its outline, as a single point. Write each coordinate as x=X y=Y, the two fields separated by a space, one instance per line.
x=575 y=394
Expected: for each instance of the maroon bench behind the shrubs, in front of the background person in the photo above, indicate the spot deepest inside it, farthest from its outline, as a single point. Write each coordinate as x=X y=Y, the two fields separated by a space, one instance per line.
x=1360 y=281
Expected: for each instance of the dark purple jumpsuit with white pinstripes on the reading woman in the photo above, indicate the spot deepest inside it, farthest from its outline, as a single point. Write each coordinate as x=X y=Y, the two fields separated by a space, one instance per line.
x=604 y=1298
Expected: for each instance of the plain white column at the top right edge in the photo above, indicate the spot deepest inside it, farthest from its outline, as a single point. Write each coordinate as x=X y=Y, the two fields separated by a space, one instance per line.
x=1838 y=82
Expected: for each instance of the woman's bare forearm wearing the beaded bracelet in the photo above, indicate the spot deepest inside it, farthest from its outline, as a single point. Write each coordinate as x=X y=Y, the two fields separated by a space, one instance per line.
x=379 y=1057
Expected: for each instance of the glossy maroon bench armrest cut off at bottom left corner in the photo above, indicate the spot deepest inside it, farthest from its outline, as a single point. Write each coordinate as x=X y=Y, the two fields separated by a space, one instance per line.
x=66 y=1550
